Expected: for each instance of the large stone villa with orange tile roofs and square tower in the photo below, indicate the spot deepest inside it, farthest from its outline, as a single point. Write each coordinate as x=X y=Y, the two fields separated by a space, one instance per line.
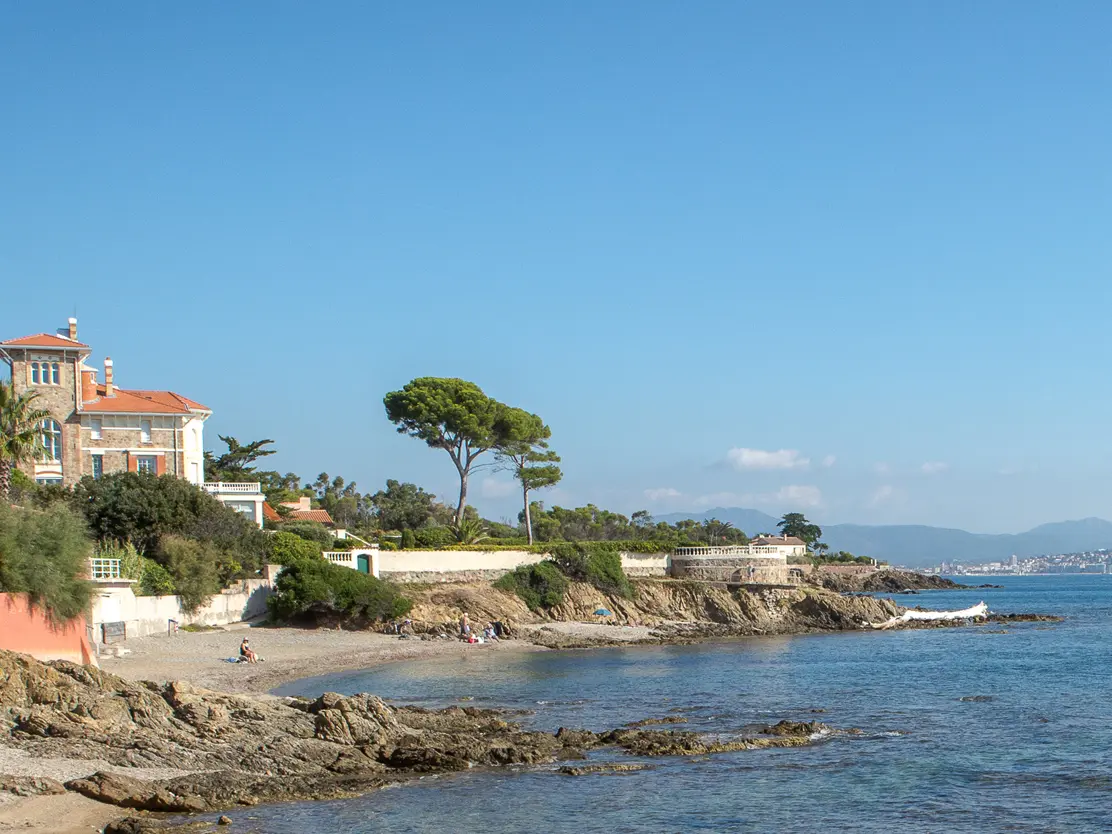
x=95 y=428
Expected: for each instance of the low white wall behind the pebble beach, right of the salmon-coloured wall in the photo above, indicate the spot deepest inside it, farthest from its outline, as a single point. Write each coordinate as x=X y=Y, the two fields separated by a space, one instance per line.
x=146 y=615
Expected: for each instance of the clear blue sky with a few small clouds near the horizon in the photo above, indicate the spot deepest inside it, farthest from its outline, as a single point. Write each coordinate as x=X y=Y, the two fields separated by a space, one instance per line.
x=850 y=259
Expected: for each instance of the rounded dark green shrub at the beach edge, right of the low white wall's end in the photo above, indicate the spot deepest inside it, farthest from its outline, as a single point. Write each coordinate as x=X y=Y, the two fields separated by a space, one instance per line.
x=315 y=590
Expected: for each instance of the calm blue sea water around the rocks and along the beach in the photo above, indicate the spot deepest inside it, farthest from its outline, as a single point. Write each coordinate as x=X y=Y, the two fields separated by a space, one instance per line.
x=1036 y=758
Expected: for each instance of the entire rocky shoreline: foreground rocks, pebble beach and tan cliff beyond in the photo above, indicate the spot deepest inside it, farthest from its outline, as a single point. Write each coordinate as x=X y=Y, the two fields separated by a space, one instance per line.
x=75 y=733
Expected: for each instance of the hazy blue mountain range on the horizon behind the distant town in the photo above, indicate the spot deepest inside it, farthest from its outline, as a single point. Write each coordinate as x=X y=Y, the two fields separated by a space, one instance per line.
x=922 y=547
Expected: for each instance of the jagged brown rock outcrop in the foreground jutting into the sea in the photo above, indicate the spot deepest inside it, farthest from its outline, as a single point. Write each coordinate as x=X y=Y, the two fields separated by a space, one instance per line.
x=242 y=751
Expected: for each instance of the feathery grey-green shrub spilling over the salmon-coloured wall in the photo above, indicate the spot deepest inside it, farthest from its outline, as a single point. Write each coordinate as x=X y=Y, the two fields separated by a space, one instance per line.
x=45 y=555
